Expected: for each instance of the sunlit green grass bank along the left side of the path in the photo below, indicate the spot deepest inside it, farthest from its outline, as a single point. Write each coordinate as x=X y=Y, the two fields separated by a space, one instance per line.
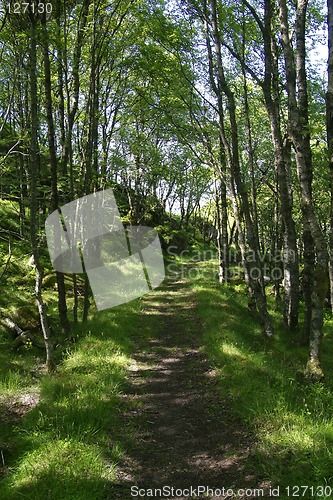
x=69 y=444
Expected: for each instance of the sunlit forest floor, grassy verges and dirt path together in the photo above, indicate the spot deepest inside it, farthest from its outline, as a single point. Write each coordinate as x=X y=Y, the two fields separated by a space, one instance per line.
x=177 y=389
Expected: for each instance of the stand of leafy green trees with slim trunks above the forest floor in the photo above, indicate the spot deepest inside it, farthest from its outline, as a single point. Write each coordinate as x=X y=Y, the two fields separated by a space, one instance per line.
x=189 y=110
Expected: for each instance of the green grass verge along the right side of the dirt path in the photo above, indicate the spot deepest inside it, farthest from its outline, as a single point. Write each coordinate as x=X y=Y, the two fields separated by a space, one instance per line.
x=291 y=421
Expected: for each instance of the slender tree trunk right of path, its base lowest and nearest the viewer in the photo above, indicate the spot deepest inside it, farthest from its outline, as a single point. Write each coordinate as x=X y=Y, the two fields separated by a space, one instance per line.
x=299 y=134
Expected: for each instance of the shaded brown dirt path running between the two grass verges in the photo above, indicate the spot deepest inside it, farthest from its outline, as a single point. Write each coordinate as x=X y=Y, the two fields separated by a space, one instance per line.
x=184 y=433
